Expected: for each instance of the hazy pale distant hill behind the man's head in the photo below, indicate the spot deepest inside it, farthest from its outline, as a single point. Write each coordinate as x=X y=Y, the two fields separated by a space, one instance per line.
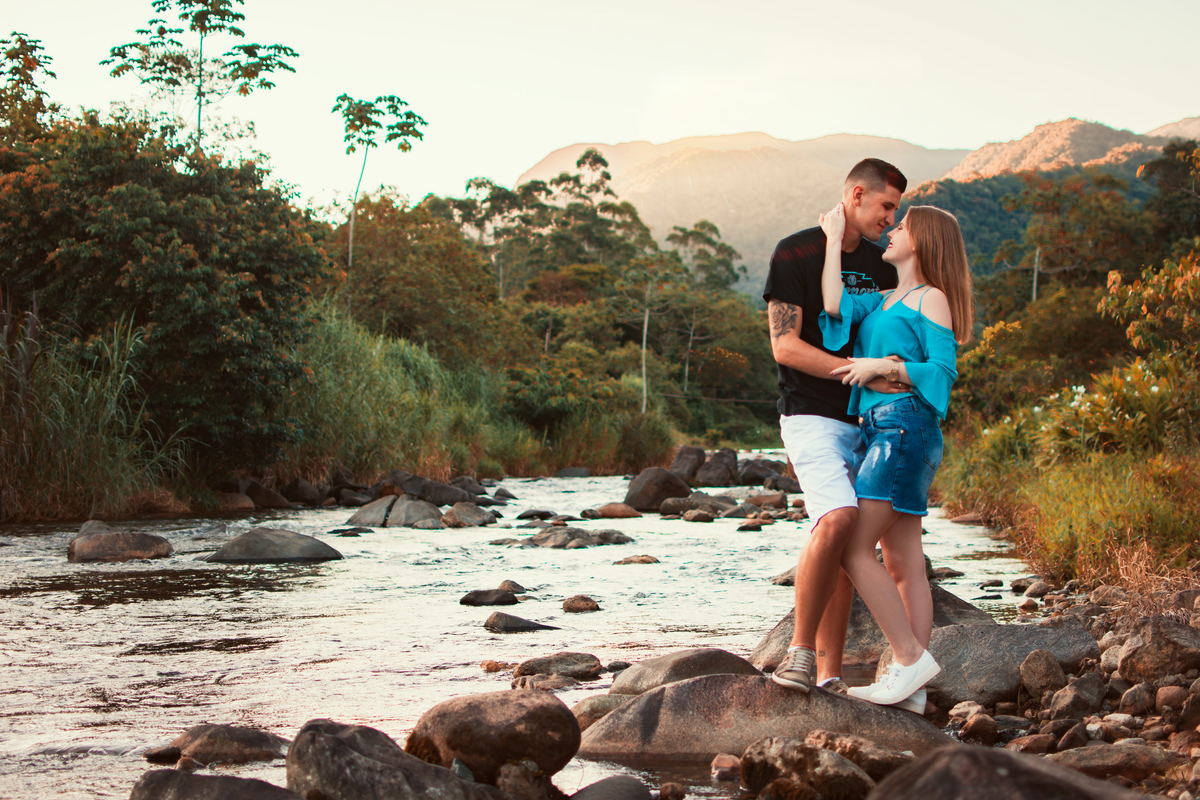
x=755 y=188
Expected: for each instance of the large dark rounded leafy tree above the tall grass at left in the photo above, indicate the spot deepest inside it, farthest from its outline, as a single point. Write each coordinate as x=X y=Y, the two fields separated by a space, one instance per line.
x=101 y=222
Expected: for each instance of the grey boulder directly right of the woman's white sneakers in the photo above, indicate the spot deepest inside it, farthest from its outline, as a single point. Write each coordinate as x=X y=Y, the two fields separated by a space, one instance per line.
x=983 y=663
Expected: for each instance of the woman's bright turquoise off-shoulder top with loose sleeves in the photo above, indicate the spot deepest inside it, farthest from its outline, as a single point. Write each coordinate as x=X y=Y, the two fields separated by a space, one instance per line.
x=927 y=348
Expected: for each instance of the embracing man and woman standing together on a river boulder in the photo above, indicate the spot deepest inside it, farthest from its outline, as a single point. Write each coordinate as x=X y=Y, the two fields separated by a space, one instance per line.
x=866 y=341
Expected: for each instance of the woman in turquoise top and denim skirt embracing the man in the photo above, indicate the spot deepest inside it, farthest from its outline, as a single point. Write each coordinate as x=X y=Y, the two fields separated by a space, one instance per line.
x=922 y=322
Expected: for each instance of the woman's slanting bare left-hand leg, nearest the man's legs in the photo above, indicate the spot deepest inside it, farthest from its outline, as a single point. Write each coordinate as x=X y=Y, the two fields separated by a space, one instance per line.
x=875 y=585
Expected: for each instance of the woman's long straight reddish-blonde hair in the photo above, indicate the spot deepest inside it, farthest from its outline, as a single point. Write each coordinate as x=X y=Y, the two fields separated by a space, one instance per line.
x=938 y=243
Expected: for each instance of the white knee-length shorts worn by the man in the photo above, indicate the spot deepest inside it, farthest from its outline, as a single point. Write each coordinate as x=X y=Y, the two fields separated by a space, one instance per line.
x=826 y=455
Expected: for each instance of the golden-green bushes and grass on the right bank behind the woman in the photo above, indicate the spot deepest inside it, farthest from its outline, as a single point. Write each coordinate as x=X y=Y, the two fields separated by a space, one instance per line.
x=1076 y=416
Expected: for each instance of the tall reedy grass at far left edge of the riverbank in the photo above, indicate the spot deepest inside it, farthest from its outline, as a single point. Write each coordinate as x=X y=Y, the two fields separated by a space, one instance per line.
x=74 y=438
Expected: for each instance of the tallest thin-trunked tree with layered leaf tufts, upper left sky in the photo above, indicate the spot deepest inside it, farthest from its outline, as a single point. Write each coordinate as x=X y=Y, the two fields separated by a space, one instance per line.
x=163 y=62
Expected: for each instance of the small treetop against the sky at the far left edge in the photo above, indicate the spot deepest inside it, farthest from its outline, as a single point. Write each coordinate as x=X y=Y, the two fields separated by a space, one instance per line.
x=23 y=103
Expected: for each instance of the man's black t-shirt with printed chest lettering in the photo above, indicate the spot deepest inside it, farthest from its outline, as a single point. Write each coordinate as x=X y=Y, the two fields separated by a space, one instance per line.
x=795 y=279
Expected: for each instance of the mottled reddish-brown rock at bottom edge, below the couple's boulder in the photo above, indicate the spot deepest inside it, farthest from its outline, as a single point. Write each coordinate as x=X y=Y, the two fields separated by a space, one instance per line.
x=779 y=757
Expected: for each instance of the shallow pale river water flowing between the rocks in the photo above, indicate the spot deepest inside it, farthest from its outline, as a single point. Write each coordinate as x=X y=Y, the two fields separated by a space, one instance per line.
x=101 y=661
